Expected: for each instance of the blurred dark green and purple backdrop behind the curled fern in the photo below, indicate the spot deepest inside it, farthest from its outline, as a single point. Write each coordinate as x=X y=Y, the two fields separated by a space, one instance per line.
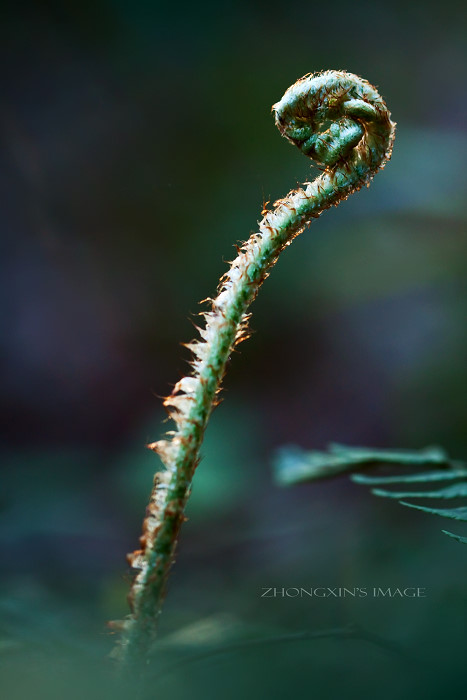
x=138 y=148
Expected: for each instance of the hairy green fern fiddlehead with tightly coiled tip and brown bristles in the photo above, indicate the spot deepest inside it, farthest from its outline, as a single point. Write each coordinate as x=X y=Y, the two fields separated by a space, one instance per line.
x=341 y=122
